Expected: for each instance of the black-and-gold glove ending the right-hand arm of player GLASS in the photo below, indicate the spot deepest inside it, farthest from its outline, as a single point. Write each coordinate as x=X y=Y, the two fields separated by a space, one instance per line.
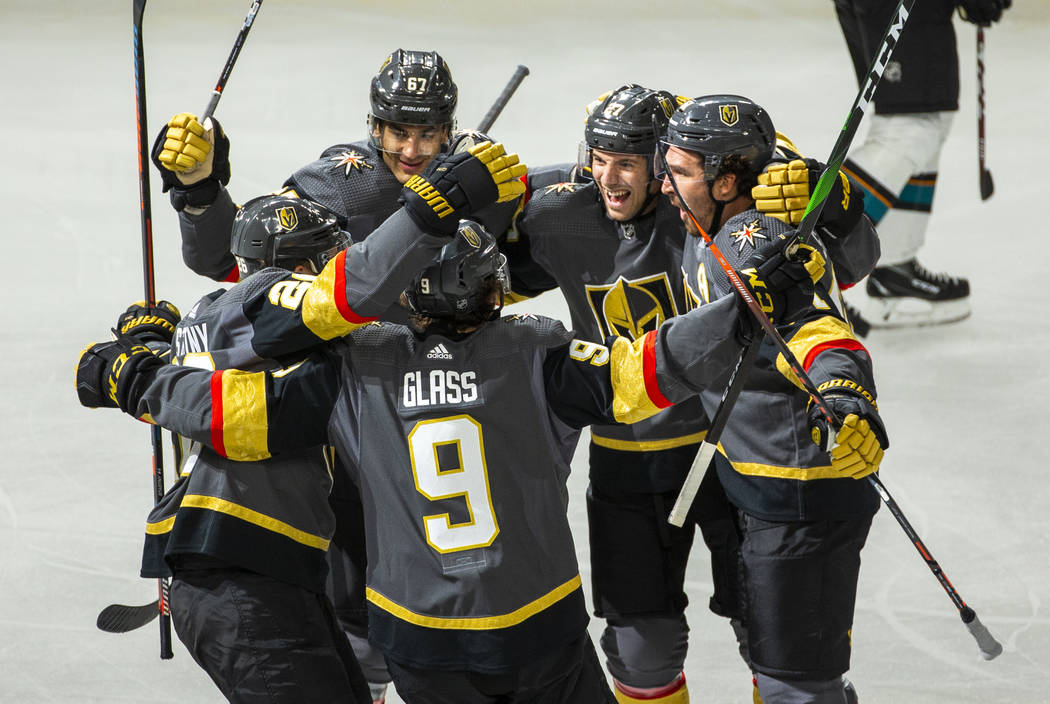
x=783 y=278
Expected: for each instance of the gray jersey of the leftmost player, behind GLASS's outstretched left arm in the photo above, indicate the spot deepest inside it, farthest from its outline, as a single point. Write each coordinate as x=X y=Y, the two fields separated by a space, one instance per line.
x=271 y=516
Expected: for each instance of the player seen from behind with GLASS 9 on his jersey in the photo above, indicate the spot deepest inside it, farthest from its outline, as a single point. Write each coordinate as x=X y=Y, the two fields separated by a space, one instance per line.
x=474 y=590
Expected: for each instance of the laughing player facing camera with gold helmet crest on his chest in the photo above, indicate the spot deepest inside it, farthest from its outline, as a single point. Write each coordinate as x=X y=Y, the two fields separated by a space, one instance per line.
x=615 y=249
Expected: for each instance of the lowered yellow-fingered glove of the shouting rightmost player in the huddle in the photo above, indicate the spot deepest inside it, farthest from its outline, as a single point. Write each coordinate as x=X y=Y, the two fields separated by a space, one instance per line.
x=857 y=447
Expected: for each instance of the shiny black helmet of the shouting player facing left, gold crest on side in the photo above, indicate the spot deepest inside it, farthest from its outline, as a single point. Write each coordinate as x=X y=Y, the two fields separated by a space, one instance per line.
x=721 y=127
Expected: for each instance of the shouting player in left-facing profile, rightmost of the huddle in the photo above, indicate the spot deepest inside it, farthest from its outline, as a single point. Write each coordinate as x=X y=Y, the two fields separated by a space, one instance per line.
x=792 y=496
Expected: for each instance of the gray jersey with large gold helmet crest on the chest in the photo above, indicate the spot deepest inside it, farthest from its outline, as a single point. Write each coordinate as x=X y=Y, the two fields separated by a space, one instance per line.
x=618 y=279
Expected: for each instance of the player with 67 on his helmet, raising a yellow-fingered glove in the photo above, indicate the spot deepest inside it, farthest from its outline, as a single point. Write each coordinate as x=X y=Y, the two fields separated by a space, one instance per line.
x=412 y=118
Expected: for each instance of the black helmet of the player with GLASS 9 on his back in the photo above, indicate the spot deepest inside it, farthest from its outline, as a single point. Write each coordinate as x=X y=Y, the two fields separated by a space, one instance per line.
x=458 y=283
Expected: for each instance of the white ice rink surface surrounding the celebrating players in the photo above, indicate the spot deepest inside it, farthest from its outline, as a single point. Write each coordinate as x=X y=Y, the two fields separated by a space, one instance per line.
x=965 y=405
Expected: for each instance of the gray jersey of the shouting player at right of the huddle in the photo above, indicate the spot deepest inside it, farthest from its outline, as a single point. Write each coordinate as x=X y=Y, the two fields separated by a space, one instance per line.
x=767 y=461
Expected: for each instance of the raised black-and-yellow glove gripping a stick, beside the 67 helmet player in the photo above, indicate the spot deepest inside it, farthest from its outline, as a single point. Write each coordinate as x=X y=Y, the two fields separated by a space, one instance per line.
x=191 y=167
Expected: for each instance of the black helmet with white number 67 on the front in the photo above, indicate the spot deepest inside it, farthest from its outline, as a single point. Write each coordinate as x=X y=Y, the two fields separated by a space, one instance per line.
x=414 y=89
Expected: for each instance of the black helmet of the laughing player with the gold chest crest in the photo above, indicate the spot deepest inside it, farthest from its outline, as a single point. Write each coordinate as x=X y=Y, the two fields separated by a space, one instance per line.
x=628 y=120
